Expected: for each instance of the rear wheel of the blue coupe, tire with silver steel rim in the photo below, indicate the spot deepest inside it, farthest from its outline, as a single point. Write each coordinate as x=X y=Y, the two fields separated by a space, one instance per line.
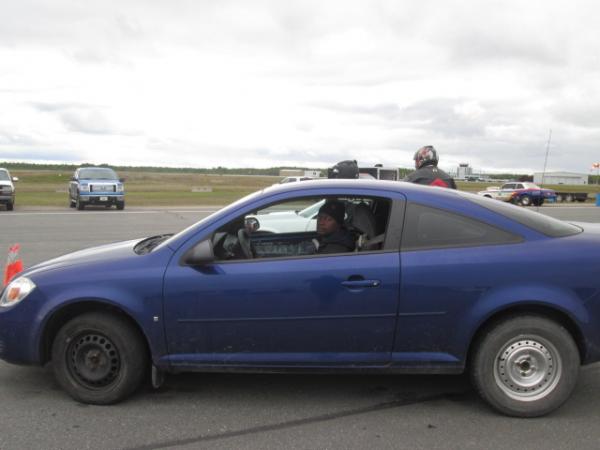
x=525 y=366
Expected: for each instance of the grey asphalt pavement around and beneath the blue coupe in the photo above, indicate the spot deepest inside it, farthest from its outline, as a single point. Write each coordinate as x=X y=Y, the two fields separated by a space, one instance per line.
x=259 y=411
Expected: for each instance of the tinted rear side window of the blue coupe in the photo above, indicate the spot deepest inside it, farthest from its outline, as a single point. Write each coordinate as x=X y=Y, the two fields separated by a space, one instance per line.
x=429 y=228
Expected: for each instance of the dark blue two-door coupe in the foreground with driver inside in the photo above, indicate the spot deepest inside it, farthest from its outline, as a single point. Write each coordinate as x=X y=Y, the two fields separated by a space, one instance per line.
x=439 y=281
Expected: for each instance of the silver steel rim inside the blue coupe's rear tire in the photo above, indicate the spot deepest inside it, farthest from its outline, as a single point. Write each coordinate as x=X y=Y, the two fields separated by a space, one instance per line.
x=528 y=369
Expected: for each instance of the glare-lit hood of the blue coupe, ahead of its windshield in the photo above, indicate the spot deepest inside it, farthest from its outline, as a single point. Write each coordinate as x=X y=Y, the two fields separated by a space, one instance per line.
x=109 y=252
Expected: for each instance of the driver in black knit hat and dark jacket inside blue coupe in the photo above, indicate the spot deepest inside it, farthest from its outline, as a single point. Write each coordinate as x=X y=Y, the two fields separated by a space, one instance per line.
x=333 y=236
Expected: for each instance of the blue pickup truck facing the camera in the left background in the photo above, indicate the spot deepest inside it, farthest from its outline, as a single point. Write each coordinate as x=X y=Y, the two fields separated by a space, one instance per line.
x=96 y=186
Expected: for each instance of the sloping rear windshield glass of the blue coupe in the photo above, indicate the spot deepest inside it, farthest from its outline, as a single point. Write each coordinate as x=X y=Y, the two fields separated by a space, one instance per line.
x=539 y=222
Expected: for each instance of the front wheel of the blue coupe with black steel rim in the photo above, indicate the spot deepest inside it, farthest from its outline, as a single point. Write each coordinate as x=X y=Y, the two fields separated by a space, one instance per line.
x=99 y=358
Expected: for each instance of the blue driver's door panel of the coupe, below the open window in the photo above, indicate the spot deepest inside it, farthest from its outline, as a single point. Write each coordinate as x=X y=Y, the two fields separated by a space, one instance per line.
x=315 y=310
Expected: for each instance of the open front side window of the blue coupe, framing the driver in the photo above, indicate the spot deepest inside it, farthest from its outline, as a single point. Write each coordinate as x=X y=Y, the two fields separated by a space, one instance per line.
x=289 y=229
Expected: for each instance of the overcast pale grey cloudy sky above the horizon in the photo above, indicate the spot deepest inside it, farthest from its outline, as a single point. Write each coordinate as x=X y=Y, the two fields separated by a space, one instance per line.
x=246 y=83
